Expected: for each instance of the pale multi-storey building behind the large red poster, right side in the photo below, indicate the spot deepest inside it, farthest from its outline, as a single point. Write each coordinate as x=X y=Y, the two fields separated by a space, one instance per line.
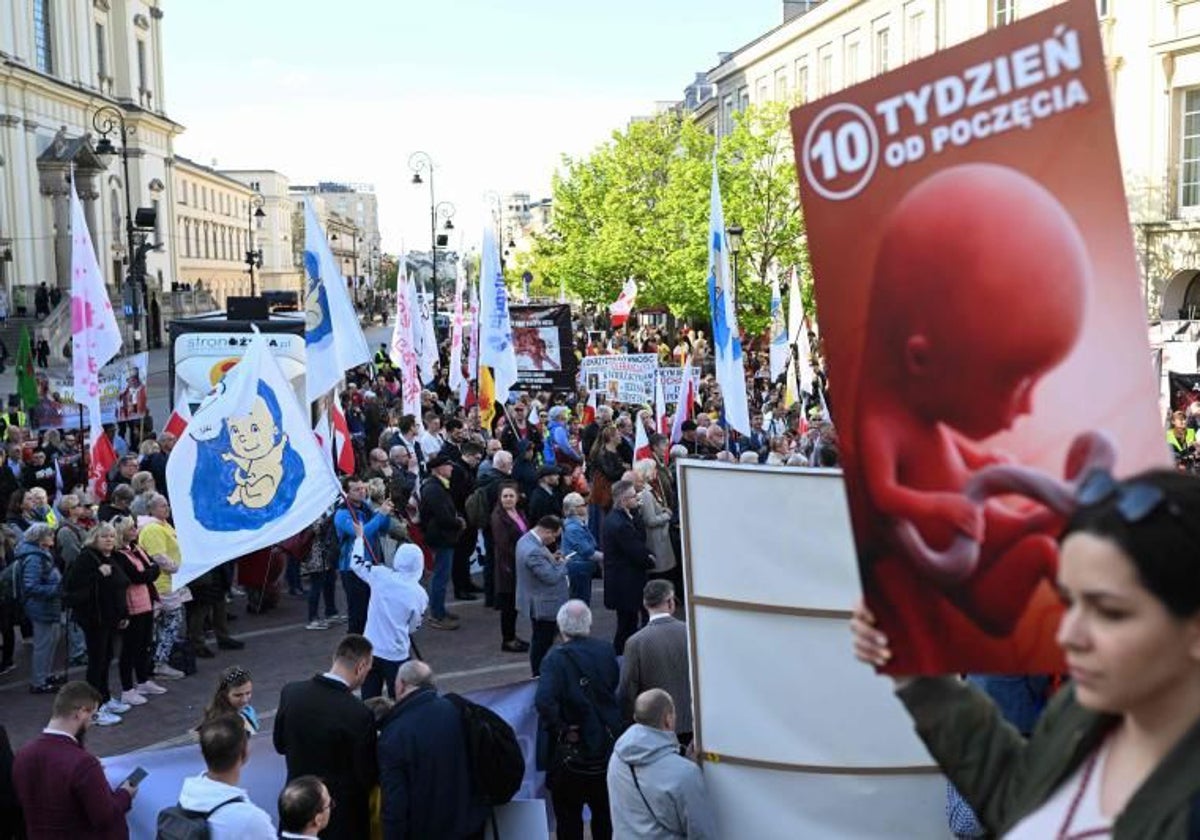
x=1153 y=49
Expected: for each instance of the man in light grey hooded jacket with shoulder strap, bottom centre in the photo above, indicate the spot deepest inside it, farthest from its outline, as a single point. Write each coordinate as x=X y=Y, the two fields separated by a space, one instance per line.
x=655 y=794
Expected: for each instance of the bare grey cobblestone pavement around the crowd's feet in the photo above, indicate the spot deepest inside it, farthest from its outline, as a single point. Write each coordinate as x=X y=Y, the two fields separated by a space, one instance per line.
x=279 y=650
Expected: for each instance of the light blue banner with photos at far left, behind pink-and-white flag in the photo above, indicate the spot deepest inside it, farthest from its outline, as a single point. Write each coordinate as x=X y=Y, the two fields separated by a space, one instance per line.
x=123 y=395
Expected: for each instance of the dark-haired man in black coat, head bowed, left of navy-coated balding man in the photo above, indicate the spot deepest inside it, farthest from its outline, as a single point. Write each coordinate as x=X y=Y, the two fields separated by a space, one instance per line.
x=322 y=729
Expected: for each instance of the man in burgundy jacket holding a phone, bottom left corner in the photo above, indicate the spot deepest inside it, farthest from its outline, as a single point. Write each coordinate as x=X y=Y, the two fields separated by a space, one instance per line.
x=61 y=785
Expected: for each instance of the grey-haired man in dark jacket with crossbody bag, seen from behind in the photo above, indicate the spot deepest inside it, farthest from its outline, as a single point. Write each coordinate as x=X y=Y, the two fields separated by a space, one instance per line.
x=578 y=700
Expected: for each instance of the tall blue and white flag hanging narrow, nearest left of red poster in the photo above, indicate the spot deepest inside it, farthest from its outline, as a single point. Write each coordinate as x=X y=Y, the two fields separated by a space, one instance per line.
x=727 y=340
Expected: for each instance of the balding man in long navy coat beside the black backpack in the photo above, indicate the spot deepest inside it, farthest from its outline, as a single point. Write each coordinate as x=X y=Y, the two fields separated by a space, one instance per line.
x=425 y=784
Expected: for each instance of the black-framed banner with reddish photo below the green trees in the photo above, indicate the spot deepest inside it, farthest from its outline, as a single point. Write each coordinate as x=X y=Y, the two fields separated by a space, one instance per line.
x=545 y=347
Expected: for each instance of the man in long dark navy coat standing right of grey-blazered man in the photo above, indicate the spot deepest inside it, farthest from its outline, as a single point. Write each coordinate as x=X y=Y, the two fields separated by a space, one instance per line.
x=626 y=562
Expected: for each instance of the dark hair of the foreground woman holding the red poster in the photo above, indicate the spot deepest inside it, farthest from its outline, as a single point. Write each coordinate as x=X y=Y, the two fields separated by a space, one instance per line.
x=1163 y=547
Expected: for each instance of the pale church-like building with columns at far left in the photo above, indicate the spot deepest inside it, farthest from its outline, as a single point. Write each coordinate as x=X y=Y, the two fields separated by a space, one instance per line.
x=62 y=63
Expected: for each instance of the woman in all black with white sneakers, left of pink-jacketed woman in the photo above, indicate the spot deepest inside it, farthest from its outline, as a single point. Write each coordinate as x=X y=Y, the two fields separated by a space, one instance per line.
x=95 y=591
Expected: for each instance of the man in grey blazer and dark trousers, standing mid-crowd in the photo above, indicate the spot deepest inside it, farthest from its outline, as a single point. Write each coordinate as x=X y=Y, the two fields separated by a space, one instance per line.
x=543 y=586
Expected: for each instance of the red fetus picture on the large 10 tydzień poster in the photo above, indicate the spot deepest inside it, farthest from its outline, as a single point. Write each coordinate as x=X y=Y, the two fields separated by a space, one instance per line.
x=980 y=291
